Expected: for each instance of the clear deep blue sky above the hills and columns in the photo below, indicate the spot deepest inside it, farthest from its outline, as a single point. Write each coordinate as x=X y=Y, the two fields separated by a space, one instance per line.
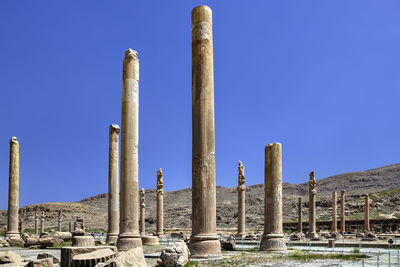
x=320 y=77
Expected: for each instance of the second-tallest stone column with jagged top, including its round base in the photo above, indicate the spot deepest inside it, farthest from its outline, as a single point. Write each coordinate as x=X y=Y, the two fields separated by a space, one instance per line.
x=129 y=209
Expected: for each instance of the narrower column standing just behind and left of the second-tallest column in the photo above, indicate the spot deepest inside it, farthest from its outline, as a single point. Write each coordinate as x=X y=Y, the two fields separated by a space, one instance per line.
x=113 y=184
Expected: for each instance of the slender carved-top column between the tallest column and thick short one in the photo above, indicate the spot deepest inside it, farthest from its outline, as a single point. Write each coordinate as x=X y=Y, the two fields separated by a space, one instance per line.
x=241 y=202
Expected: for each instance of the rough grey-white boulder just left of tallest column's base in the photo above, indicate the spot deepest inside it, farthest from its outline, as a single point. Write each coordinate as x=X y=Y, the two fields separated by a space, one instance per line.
x=176 y=254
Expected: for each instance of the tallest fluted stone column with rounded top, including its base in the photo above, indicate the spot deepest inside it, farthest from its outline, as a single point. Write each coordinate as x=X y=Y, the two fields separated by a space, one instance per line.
x=204 y=241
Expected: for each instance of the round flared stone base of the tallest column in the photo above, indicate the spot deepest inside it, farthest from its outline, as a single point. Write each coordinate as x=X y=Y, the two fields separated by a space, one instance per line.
x=202 y=246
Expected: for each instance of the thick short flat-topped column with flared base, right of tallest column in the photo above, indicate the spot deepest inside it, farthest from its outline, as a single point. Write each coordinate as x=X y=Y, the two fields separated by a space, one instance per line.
x=273 y=237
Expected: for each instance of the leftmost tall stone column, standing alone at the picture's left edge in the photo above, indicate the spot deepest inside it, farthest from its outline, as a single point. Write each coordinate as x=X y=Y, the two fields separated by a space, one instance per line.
x=13 y=190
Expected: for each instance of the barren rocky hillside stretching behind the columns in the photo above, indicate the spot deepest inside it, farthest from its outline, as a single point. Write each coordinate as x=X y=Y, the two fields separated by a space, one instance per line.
x=383 y=182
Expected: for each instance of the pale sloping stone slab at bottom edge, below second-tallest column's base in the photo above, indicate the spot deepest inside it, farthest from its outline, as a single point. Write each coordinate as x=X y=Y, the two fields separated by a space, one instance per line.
x=133 y=257
